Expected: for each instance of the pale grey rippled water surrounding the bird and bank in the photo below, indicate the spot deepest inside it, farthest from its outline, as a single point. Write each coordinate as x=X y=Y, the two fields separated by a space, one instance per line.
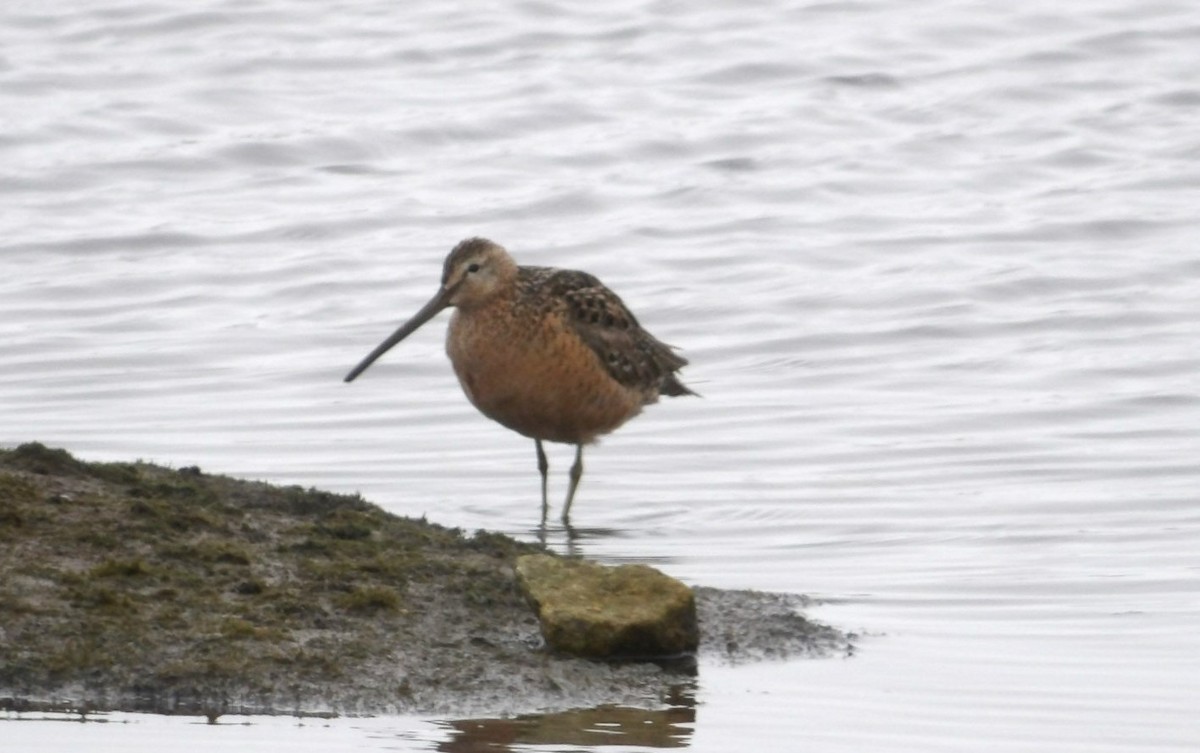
x=935 y=266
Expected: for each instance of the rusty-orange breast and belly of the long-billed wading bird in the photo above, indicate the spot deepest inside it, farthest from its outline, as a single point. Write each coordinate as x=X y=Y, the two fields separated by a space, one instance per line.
x=547 y=387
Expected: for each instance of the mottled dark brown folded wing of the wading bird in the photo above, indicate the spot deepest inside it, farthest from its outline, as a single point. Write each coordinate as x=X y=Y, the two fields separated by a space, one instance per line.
x=631 y=354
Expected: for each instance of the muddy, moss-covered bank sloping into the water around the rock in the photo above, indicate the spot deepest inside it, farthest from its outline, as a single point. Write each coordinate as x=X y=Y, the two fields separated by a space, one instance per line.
x=134 y=587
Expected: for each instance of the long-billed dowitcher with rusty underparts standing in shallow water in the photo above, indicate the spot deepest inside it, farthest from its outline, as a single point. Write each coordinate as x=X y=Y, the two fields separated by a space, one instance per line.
x=551 y=354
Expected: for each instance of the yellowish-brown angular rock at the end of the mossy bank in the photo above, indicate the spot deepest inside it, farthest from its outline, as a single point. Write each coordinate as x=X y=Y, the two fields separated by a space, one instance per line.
x=599 y=612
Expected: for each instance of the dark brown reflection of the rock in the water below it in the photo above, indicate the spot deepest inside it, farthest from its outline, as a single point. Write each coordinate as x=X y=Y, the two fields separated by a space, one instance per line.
x=591 y=728
